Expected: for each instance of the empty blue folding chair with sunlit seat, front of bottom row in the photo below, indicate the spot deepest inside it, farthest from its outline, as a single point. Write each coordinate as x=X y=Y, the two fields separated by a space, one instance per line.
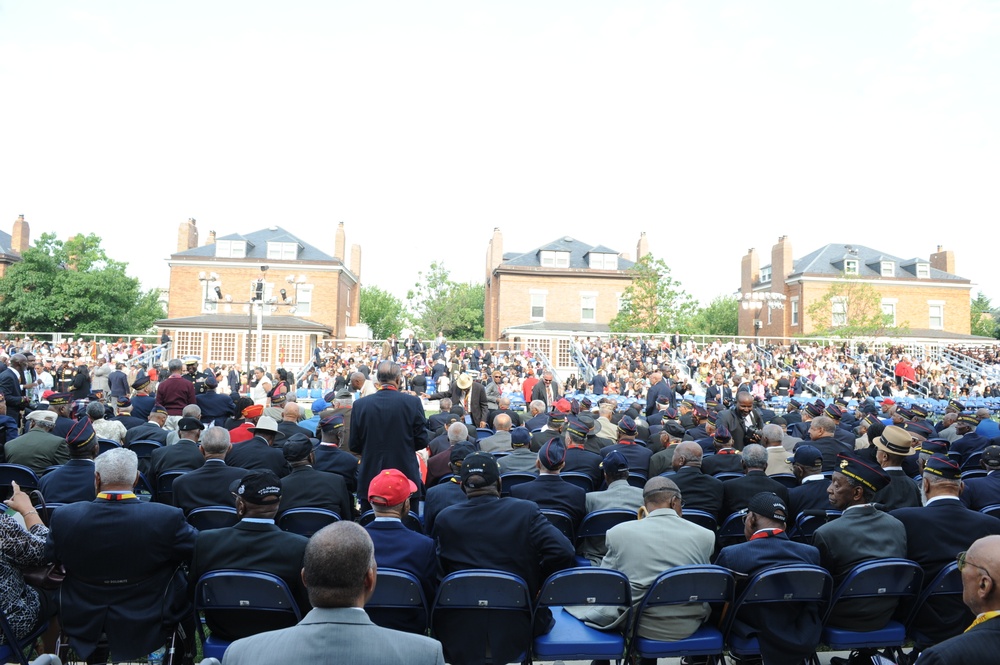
x=570 y=638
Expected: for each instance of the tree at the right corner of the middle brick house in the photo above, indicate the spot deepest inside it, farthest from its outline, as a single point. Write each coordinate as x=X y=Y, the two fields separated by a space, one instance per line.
x=654 y=302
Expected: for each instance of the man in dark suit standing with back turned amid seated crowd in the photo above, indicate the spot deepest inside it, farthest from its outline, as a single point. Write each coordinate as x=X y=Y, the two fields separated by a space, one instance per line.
x=387 y=429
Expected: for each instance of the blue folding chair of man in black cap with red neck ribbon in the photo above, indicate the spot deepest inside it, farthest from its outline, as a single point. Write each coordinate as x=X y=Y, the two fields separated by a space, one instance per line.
x=781 y=584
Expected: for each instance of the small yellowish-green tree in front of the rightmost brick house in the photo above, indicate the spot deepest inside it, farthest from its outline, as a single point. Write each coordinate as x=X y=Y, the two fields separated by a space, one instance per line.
x=852 y=308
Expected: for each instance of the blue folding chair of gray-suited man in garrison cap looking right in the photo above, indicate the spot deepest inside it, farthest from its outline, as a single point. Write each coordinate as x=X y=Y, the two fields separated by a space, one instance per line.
x=879 y=578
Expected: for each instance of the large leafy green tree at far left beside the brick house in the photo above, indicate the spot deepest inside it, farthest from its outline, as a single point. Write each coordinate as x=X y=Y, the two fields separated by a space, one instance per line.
x=73 y=287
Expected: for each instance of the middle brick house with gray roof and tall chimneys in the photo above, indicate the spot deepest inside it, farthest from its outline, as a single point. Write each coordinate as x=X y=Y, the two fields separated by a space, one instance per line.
x=565 y=286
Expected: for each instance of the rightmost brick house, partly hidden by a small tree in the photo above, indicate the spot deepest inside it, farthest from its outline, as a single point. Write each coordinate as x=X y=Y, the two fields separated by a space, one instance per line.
x=925 y=296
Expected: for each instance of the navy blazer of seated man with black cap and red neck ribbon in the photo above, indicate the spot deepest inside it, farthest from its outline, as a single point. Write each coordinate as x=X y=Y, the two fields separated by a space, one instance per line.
x=787 y=632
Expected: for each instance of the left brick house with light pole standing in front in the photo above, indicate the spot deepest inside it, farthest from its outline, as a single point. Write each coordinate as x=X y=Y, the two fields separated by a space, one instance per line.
x=217 y=290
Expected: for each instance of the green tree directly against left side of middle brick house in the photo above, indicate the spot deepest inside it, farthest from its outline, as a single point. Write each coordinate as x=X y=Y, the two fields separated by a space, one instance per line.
x=439 y=304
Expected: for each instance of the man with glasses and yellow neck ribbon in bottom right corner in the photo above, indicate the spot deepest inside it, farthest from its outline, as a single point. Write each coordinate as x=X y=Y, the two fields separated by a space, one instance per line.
x=981 y=641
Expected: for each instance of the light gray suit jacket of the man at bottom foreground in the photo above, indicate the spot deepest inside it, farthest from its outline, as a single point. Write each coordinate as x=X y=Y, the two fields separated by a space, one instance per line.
x=342 y=634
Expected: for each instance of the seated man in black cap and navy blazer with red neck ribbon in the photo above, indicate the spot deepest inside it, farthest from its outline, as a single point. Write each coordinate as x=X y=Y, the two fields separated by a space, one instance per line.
x=788 y=632
